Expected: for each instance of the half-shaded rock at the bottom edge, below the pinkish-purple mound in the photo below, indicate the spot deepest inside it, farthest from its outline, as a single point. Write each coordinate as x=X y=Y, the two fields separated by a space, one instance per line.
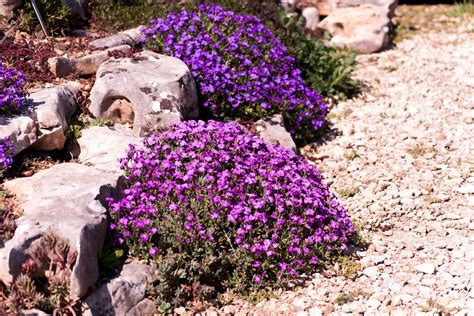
x=123 y=294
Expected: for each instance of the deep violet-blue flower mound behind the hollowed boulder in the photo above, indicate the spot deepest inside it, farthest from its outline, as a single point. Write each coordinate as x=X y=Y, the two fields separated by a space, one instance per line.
x=242 y=69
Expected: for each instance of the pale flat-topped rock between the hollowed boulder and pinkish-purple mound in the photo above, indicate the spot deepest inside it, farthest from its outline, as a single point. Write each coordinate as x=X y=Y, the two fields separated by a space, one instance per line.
x=101 y=147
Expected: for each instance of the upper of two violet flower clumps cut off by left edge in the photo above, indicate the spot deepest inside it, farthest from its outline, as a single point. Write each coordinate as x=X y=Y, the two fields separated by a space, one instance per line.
x=12 y=91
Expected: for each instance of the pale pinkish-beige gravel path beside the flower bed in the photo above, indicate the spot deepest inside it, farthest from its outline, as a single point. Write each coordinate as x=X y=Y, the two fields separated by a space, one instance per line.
x=403 y=164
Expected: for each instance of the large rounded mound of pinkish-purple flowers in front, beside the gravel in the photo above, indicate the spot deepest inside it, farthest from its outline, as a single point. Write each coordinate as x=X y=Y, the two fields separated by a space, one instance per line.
x=216 y=187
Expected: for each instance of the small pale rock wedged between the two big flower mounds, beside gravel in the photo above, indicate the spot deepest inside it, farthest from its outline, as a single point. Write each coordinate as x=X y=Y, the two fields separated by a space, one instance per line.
x=273 y=131
